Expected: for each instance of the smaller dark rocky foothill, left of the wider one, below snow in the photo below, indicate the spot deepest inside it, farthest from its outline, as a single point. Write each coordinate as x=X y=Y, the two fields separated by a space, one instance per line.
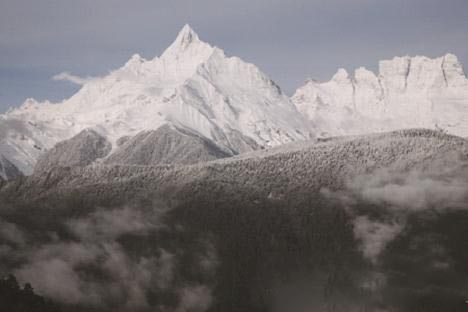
x=81 y=150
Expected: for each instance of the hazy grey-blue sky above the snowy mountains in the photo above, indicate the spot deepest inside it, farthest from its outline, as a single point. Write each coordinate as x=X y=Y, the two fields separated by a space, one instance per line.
x=290 y=40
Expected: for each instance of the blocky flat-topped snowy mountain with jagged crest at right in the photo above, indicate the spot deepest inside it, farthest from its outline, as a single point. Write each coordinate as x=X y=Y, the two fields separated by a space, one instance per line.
x=408 y=92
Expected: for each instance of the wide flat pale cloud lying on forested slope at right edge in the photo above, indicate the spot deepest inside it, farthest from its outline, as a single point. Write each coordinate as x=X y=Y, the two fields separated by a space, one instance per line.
x=442 y=186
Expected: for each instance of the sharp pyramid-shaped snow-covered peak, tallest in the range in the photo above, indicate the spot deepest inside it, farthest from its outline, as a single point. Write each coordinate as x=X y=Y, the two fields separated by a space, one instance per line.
x=192 y=86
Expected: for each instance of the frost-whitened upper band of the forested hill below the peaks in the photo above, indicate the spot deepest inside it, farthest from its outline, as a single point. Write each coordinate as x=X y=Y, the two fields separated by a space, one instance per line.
x=276 y=172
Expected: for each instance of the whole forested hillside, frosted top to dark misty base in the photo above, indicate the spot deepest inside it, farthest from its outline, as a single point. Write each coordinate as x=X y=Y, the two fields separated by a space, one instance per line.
x=350 y=224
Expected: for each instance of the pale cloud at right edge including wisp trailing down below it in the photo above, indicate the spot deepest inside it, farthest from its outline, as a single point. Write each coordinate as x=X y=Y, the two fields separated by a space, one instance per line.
x=440 y=186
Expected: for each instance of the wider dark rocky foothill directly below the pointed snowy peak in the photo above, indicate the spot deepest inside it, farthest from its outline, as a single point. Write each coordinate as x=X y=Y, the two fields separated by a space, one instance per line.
x=166 y=145
